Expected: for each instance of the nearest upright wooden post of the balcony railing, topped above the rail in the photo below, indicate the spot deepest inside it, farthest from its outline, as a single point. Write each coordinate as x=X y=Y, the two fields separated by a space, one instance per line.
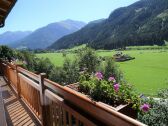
x=42 y=99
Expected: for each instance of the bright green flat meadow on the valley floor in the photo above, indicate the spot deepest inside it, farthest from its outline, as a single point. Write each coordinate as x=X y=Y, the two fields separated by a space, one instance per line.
x=148 y=72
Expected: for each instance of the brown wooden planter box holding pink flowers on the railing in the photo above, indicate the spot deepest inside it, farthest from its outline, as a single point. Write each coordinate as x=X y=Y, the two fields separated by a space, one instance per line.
x=125 y=109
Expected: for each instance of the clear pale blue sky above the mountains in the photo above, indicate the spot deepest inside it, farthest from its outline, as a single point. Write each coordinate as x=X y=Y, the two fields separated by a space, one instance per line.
x=32 y=14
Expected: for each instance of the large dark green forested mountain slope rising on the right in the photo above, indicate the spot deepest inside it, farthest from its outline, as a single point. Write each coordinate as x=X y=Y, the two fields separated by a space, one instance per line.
x=142 y=23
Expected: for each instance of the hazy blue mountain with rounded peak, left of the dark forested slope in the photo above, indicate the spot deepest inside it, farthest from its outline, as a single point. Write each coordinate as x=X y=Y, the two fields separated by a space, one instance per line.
x=45 y=36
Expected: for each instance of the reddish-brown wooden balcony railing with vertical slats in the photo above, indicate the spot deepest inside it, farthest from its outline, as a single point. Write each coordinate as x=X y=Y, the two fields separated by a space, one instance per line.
x=56 y=105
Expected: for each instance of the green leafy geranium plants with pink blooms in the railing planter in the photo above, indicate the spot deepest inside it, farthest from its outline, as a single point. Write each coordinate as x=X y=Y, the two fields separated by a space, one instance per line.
x=103 y=90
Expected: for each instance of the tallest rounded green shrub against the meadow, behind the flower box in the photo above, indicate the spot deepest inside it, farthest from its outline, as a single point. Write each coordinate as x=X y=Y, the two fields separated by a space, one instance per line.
x=88 y=60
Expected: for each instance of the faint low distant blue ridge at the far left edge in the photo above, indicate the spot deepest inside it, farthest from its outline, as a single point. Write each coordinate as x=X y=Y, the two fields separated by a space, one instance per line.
x=9 y=37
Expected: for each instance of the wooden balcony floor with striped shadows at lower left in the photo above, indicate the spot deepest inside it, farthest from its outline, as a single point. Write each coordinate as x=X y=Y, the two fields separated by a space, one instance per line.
x=17 y=113
